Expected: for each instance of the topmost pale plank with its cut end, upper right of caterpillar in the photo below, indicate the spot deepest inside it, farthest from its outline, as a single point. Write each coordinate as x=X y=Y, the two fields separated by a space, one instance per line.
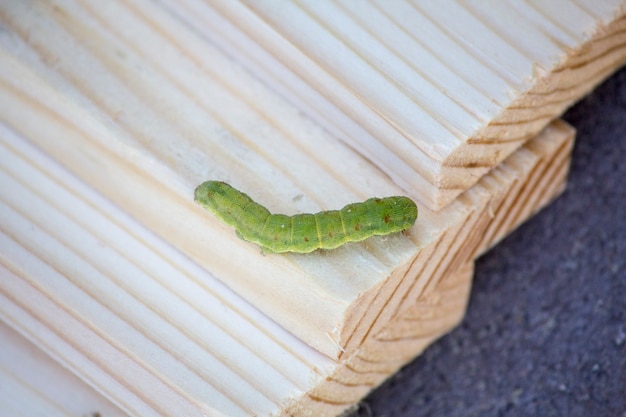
x=435 y=96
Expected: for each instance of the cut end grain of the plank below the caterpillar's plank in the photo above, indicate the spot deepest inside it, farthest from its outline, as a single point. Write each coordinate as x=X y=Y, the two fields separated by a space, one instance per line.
x=402 y=339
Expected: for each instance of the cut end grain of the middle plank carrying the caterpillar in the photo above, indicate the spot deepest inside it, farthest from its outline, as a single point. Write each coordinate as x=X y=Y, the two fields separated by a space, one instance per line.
x=456 y=234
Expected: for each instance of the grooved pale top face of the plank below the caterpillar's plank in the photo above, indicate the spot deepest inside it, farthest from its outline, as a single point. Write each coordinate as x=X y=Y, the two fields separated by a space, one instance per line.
x=128 y=312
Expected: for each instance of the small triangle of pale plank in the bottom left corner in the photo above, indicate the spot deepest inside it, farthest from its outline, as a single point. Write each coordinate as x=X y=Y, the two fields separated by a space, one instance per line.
x=35 y=385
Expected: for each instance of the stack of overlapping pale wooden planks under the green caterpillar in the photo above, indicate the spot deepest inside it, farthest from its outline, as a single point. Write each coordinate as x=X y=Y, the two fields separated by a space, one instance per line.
x=112 y=114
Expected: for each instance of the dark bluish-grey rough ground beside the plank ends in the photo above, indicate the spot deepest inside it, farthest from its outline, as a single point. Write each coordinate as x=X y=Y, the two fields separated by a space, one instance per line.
x=545 y=332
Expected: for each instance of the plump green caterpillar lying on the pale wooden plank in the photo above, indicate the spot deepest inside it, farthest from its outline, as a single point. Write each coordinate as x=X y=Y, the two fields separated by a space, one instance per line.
x=303 y=233
